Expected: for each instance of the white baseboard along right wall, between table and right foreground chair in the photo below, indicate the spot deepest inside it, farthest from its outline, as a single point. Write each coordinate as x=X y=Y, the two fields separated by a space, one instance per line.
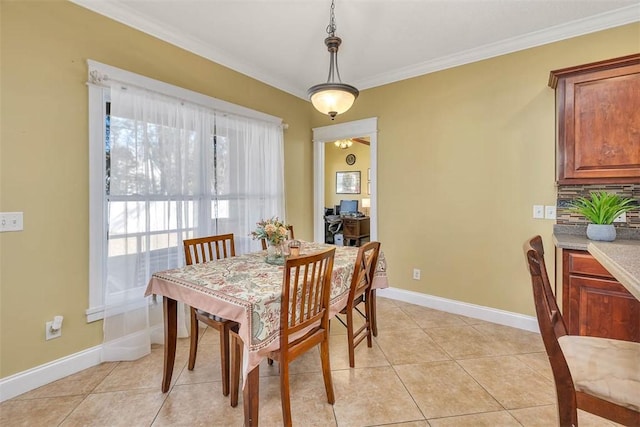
x=507 y=318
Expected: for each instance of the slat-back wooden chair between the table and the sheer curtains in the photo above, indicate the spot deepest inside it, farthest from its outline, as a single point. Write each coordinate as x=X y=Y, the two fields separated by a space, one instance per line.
x=202 y=250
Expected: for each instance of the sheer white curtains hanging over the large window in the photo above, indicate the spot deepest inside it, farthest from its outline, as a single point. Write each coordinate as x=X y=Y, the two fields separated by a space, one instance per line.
x=176 y=170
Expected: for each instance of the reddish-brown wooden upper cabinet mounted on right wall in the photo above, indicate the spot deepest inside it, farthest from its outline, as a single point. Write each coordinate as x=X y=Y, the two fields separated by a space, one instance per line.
x=598 y=122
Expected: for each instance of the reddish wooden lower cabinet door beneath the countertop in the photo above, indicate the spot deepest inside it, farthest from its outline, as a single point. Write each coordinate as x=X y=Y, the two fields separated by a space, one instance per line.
x=602 y=308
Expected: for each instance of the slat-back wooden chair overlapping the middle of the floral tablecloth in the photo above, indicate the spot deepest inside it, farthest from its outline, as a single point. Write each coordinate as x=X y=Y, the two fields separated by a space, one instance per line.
x=304 y=309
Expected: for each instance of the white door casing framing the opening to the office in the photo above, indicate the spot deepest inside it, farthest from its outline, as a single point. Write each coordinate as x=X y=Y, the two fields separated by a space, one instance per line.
x=365 y=128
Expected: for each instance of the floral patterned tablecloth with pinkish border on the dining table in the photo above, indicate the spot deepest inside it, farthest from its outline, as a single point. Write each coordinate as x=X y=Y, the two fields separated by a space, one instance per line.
x=247 y=290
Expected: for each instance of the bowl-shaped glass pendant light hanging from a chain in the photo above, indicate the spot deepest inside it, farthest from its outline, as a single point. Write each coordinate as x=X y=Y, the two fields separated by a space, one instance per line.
x=332 y=97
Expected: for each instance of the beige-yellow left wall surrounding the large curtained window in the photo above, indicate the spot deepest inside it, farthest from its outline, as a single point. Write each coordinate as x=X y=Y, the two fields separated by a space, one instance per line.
x=44 y=160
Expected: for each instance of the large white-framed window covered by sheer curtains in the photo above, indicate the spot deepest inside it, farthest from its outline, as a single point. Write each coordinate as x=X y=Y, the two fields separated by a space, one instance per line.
x=179 y=166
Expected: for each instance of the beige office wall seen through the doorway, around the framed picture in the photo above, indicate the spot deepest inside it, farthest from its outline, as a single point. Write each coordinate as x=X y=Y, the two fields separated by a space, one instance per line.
x=334 y=161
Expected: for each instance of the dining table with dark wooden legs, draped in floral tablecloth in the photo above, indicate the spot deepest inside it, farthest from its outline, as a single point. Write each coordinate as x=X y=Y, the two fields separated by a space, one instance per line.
x=247 y=290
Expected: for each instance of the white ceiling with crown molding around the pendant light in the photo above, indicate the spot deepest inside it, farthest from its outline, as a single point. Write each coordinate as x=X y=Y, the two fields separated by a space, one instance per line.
x=281 y=42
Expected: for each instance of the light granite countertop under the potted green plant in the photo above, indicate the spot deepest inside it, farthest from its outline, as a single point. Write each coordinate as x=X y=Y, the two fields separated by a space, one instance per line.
x=620 y=257
